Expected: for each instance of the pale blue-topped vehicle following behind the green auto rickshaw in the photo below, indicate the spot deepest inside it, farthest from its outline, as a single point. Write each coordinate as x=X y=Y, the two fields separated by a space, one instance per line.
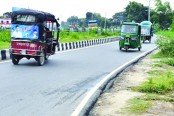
x=146 y=31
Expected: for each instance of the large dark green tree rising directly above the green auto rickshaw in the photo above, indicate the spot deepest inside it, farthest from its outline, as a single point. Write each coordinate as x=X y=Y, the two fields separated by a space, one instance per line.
x=136 y=12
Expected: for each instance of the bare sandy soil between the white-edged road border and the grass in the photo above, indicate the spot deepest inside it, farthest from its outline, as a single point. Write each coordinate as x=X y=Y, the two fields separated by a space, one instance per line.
x=113 y=100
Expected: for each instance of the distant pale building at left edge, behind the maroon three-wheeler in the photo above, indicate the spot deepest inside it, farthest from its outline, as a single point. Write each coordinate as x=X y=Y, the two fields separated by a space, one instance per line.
x=5 y=22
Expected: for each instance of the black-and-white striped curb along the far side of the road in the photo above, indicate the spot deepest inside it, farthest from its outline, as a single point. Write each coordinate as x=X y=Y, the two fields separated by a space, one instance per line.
x=67 y=46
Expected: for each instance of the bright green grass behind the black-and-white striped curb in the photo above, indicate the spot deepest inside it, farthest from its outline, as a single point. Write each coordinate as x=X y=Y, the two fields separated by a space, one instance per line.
x=64 y=36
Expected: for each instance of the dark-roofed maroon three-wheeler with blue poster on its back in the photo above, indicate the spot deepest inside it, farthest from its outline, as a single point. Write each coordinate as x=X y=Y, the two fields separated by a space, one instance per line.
x=34 y=34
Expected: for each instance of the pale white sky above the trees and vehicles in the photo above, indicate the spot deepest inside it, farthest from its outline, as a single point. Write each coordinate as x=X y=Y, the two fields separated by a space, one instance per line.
x=66 y=8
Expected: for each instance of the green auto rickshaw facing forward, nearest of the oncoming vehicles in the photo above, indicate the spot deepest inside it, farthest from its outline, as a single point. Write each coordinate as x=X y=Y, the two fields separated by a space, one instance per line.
x=130 y=36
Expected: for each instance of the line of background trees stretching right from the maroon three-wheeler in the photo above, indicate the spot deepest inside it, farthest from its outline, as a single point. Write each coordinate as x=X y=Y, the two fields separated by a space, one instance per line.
x=161 y=16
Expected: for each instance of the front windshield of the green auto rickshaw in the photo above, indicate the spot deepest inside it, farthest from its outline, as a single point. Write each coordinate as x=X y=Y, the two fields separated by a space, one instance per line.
x=128 y=28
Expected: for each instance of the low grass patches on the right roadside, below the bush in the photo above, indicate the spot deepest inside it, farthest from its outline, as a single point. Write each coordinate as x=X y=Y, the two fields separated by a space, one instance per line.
x=158 y=87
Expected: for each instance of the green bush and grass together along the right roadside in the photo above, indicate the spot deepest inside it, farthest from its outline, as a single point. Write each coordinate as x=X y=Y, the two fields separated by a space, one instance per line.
x=160 y=85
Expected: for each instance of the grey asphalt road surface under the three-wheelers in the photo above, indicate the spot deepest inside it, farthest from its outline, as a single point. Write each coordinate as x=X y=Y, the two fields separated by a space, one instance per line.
x=56 y=88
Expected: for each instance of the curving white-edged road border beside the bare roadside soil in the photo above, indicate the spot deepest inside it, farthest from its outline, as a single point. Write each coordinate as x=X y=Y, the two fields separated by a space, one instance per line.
x=89 y=100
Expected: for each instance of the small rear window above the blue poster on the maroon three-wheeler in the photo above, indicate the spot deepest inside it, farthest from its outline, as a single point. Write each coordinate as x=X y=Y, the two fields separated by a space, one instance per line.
x=25 y=18
